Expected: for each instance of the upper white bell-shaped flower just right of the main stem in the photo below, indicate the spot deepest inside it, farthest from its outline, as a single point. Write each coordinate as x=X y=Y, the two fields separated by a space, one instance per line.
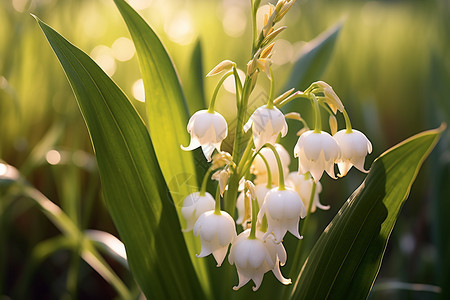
x=267 y=124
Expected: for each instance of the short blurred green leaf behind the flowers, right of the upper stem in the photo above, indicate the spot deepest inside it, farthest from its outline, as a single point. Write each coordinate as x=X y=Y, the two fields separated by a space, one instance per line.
x=314 y=59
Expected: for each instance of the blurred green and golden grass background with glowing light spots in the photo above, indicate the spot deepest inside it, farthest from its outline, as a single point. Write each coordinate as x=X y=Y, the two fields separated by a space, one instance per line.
x=390 y=67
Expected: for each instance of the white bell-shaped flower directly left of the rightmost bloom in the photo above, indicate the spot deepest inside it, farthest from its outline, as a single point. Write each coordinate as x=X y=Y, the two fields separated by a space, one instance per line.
x=317 y=152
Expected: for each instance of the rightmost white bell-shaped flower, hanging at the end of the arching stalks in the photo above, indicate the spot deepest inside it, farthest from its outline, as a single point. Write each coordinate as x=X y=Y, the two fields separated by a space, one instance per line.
x=354 y=148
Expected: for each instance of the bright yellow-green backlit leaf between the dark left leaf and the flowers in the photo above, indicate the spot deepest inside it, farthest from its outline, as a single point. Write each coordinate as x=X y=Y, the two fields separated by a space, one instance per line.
x=167 y=119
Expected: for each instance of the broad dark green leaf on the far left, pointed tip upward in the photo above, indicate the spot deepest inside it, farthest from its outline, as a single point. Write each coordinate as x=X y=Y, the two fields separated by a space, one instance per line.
x=133 y=185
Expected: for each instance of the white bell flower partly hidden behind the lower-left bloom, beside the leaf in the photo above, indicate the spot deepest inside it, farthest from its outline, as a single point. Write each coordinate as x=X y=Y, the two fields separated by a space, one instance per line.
x=194 y=205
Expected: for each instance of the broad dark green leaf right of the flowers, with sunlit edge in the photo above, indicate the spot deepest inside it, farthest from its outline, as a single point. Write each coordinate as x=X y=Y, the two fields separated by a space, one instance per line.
x=347 y=257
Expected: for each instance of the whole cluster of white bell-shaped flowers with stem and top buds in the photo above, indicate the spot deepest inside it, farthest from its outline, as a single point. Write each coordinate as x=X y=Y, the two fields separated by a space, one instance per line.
x=272 y=200
